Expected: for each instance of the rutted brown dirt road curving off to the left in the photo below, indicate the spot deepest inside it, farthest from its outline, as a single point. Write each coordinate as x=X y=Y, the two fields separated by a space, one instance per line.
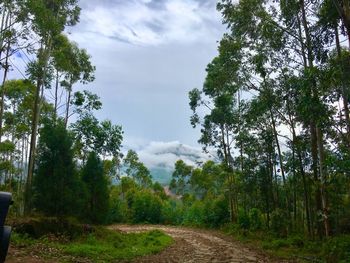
x=198 y=246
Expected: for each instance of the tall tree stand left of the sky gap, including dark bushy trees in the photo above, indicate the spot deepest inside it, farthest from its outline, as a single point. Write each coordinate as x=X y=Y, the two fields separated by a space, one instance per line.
x=67 y=168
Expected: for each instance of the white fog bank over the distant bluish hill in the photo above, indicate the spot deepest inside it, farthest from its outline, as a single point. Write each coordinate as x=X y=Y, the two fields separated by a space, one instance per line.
x=160 y=157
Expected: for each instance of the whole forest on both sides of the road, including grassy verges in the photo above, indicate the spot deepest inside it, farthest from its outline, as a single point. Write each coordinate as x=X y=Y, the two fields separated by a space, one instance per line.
x=274 y=107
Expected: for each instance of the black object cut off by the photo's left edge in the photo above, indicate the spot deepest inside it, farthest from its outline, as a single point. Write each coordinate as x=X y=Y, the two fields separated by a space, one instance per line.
x=5 y=231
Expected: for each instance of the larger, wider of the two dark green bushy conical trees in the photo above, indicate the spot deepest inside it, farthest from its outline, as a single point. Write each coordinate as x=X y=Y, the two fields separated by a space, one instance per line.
x=57 y=187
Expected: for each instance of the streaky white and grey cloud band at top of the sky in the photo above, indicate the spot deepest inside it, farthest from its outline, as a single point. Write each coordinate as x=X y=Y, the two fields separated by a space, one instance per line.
x=149 y=22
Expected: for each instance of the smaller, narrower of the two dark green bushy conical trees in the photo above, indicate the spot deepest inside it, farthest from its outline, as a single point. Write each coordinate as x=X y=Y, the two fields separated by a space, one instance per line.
x=97 y=189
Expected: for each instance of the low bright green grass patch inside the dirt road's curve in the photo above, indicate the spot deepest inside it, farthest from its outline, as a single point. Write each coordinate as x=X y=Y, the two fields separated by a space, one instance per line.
x=102 y=245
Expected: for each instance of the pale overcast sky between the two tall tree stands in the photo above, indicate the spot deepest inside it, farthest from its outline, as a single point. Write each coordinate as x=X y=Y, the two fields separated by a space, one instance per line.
x=148 y=55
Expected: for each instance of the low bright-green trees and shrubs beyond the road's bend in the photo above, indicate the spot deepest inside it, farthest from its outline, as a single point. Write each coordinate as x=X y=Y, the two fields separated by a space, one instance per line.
x=195 y=200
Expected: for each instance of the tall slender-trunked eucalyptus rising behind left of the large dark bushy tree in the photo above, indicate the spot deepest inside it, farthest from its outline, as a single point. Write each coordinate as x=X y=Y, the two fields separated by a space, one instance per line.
x=48 y=19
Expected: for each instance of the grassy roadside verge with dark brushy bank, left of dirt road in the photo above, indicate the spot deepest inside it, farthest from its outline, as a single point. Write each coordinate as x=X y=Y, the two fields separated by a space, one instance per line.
x=69 y=241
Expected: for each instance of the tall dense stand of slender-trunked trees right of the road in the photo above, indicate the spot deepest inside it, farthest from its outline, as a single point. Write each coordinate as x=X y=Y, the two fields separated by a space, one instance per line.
x=275 y=106
